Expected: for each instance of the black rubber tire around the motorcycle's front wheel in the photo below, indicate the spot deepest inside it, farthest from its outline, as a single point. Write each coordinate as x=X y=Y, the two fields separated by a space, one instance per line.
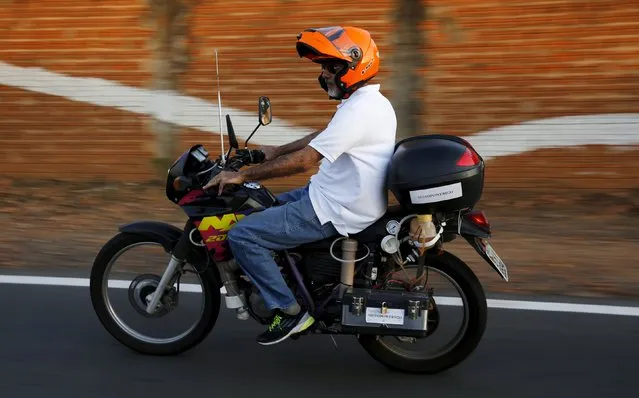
x=212 y=301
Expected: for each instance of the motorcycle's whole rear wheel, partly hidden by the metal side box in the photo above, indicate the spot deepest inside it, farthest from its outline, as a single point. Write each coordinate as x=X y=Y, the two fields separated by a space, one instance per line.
x=397 y=354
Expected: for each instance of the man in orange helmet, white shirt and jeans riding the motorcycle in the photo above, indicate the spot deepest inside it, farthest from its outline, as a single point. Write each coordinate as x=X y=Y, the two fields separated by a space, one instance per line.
x=345 y=196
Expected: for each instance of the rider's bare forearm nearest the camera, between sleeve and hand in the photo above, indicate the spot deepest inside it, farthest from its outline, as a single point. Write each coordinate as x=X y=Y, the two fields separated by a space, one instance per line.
x=289 y=164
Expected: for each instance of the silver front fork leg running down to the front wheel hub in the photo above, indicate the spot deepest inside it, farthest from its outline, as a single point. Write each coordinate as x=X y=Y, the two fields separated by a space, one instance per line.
x=174 y=269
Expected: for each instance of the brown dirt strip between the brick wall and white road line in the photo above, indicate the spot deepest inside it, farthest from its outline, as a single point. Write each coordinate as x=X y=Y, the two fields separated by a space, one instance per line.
x=574 y=243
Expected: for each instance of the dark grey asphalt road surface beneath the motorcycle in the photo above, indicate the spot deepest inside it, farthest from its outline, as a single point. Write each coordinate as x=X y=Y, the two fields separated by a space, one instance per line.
x=52 y=345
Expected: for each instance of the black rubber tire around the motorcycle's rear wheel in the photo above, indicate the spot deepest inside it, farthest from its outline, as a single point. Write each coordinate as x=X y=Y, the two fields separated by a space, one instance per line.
x=477 y=318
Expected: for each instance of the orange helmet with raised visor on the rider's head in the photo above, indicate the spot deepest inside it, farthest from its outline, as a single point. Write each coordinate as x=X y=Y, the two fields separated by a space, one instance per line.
x=352 y=46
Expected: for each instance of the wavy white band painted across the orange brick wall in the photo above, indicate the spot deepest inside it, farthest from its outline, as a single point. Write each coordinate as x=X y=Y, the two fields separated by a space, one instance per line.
x=193 y=112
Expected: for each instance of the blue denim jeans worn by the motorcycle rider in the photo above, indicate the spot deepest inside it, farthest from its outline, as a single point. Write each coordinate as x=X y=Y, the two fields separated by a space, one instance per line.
x=276 y=228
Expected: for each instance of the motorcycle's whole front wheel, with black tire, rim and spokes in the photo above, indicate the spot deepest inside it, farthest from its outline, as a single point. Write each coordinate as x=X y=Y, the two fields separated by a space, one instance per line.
x=135 y=296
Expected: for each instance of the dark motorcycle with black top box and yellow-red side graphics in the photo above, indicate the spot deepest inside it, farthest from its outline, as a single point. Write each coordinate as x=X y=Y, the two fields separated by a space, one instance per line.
x=373 y=285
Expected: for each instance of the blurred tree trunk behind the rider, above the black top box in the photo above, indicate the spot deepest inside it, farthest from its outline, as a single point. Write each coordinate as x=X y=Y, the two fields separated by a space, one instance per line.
x=408 y=62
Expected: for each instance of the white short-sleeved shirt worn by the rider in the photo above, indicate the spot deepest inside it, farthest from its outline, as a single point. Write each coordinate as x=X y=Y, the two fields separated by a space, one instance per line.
x=357 y=146
